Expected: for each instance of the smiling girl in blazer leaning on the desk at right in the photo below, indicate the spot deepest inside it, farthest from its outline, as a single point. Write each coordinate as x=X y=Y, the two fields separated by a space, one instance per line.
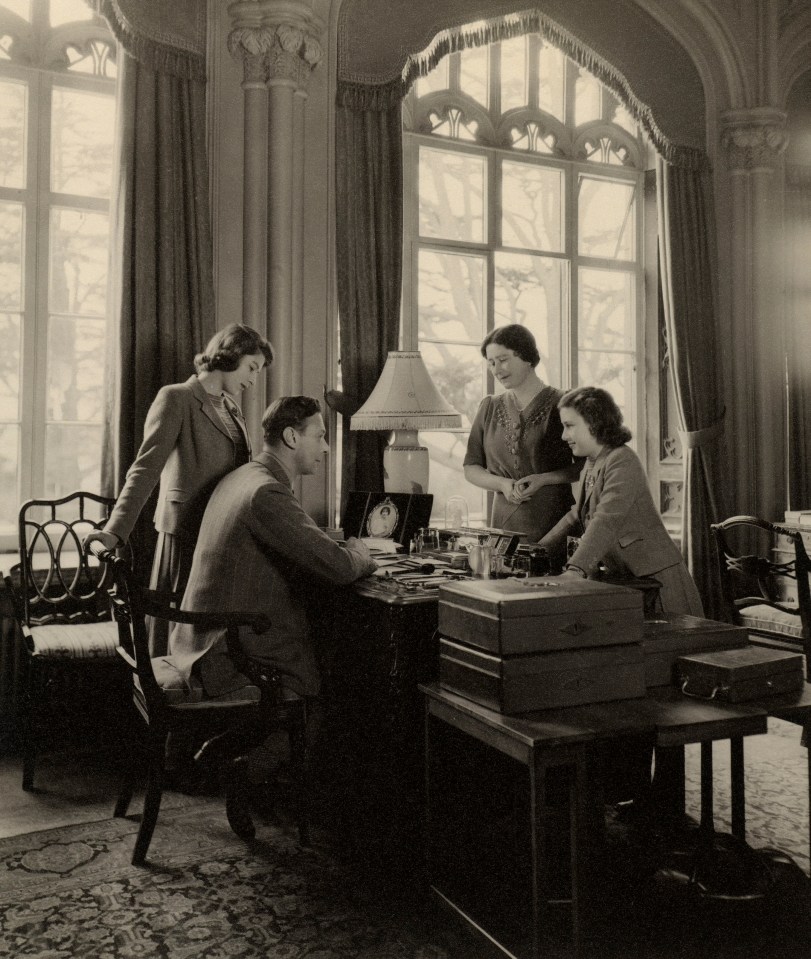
x=620 y=526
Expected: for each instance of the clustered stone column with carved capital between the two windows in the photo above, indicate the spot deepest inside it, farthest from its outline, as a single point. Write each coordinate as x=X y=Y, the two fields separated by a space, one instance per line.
x=278 y=42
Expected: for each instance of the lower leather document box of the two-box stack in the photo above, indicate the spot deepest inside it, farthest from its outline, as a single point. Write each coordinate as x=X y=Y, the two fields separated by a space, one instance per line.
x=520 y=684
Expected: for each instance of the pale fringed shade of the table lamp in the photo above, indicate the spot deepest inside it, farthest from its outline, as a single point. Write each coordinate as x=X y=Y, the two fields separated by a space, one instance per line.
x=405 y=398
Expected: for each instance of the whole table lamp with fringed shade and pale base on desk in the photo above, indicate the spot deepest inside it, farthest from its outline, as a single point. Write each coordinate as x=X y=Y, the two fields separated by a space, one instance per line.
x=404 y=401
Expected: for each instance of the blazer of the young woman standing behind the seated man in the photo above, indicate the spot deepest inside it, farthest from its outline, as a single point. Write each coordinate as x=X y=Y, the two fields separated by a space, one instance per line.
x=187 y=449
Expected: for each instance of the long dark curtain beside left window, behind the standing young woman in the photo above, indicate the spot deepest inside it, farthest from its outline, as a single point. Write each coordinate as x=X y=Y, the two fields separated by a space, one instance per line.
x=161 y=256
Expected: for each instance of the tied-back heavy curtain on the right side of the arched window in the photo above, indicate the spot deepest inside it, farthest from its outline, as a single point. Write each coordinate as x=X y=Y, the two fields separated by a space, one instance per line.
x=686 y=262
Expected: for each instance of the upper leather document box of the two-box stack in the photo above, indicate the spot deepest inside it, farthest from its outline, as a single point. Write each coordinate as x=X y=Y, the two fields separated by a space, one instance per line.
x=510 y=617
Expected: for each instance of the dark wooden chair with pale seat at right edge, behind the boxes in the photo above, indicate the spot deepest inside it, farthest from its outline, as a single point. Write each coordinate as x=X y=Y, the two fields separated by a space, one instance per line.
x=768 y=595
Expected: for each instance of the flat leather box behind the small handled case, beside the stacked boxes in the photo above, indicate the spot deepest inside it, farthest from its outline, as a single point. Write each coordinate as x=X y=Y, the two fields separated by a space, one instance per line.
x=665 y=639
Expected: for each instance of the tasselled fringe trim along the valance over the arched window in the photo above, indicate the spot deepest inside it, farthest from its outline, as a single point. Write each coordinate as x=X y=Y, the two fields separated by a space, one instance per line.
x=359 y=96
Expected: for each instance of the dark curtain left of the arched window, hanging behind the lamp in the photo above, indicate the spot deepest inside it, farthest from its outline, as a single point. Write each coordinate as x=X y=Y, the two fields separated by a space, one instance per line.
x=369 y=241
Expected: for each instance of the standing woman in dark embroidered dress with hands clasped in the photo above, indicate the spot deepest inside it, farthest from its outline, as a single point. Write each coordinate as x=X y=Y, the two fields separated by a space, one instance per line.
x=515 y=447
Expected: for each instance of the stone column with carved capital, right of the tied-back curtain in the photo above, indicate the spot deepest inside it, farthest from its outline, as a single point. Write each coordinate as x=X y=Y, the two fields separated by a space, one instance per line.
x=753 y=142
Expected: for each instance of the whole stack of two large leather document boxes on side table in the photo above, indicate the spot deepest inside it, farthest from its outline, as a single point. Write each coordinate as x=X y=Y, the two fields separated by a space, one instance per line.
x=518 y=645
